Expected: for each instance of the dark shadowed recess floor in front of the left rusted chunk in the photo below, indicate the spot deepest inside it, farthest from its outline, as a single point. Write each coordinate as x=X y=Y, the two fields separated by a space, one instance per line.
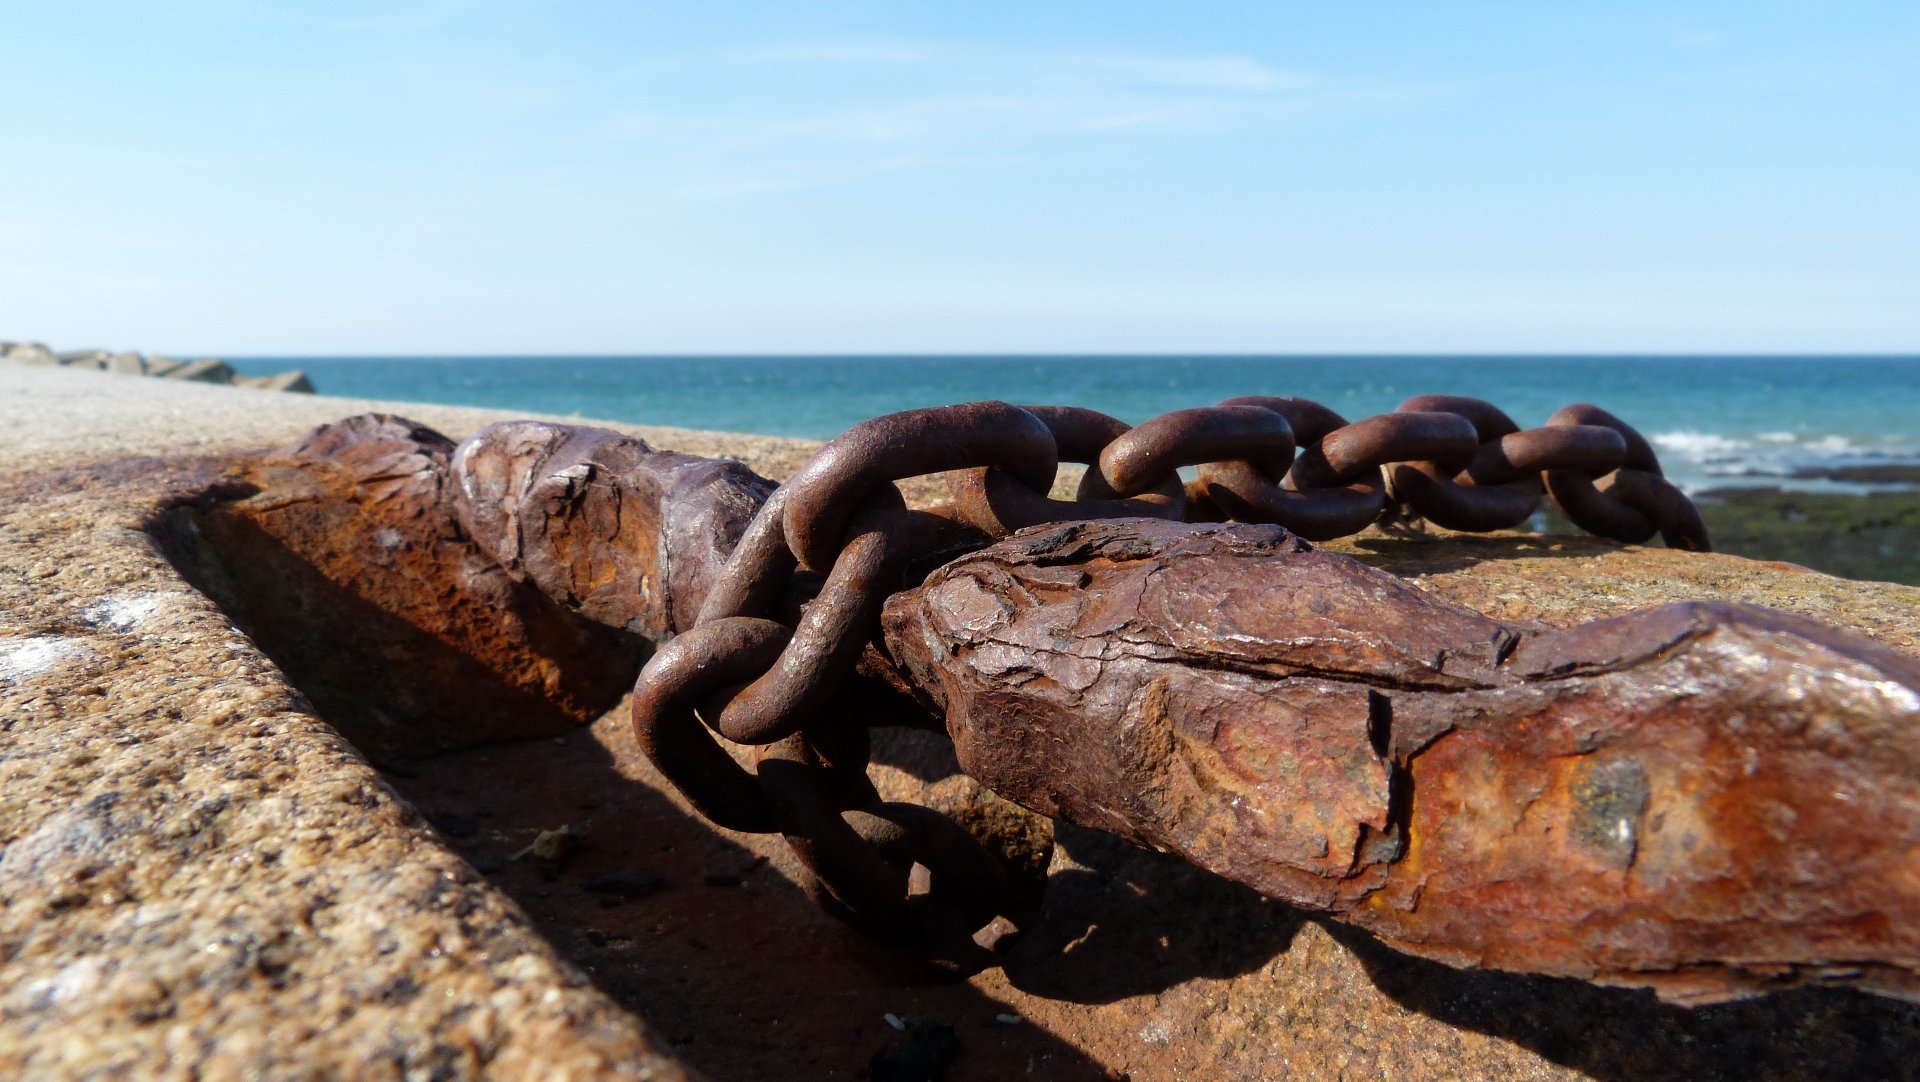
x=709 y=943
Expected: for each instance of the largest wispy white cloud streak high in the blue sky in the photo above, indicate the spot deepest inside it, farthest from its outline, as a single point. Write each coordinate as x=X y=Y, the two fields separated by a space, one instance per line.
x=890 y=106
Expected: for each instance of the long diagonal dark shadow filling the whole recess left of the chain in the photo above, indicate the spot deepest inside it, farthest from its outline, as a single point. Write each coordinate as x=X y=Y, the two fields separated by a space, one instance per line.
x=690 y=929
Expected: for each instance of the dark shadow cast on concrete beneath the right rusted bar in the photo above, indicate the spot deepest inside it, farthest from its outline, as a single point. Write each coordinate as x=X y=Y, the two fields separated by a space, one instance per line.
x=1124 y=922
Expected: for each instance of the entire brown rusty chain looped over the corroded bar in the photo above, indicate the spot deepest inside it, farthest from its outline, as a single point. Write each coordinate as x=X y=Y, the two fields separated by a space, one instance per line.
x=800 y=600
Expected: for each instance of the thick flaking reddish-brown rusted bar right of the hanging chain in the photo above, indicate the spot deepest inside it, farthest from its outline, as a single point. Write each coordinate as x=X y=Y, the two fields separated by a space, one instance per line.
x=1712 y=801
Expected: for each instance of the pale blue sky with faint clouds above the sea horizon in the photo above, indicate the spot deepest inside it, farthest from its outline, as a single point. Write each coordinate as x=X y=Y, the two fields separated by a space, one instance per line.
x=462 y=177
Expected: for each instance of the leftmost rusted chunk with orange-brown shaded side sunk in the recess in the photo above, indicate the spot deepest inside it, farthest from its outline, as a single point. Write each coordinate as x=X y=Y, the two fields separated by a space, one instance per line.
x=343 y=555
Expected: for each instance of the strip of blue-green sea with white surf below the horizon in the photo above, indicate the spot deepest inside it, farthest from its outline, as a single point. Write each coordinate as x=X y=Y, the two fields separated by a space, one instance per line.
x=1796 y=423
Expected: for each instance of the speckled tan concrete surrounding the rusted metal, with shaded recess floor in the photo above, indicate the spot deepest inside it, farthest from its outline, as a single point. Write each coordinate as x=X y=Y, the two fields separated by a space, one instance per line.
x=201 y=878
